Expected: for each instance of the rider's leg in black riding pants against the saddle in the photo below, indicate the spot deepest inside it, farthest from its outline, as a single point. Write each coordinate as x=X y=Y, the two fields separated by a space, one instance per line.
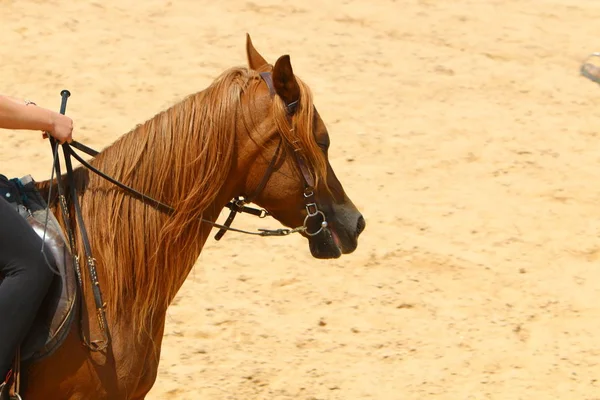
x=27 y=278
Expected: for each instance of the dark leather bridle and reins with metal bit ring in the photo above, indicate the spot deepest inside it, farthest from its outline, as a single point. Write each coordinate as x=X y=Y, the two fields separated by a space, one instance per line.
x=236 y=205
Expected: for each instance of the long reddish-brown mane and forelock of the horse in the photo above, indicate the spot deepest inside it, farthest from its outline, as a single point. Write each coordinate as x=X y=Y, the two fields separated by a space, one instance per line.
x=182 y=156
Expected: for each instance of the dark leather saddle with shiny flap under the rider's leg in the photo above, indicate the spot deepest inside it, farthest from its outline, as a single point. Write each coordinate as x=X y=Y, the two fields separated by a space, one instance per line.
x=55 y=316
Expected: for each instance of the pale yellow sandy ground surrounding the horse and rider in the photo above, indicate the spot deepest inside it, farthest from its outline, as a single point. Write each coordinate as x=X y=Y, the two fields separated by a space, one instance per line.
x=460 y=128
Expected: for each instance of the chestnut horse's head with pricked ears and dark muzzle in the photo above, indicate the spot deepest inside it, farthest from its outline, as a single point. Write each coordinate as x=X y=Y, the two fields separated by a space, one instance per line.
x=289 y=173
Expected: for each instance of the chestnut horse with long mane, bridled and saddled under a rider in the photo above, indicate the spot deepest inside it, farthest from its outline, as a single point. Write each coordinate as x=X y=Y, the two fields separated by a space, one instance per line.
x=214 y=145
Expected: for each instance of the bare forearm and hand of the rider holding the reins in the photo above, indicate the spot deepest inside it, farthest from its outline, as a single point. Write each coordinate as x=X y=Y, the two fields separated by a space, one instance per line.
x=15 y=114
